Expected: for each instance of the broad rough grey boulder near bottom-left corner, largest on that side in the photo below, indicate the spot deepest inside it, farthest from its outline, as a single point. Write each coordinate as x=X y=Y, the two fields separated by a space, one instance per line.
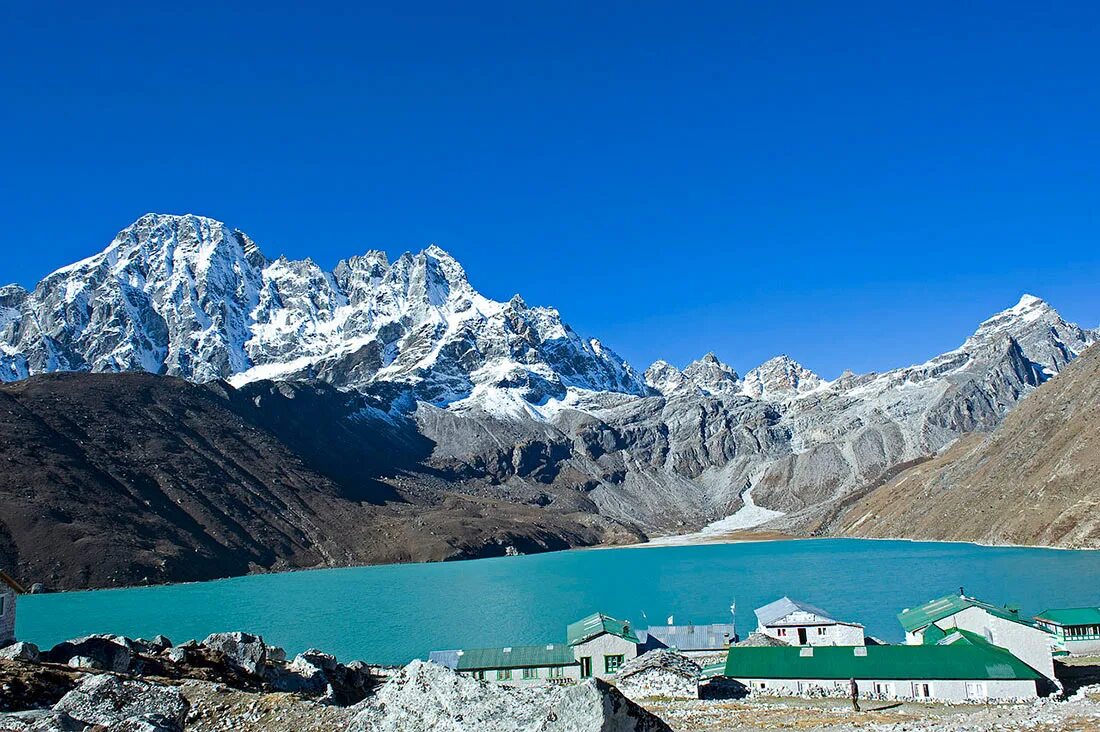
x=126 y=705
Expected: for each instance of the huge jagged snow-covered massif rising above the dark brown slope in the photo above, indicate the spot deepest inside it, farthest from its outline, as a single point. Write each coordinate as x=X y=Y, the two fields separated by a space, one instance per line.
x=189 y=297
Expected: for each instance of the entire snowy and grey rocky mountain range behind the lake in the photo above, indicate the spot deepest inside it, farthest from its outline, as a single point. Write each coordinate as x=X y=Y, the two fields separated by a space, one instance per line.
x=505 y=402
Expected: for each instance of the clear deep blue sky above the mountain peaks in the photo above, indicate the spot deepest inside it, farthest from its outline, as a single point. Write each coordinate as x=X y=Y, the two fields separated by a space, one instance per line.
x=854 y=184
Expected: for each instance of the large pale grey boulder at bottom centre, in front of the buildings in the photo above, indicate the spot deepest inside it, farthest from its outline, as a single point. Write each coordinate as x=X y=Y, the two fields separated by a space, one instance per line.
x=425 y=696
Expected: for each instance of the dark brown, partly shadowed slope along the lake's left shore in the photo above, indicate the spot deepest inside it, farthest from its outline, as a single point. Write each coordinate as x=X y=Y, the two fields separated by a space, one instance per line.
x=118 y=479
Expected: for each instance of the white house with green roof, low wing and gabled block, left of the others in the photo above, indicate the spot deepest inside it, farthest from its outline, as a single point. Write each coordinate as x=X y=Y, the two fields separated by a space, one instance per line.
x=596 y=647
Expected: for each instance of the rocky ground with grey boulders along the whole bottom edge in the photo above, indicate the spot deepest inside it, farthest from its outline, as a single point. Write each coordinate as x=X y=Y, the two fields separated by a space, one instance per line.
x=237 y=682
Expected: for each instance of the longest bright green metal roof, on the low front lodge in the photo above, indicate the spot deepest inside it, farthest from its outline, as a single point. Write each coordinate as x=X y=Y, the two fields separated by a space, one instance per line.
x=889 y=662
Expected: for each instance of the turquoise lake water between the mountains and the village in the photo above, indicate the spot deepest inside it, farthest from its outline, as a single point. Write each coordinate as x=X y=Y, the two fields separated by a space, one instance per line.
x=399 y=613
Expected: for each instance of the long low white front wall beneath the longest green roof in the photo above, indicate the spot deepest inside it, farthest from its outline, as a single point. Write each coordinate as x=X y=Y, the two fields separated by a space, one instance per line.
x=939 y=691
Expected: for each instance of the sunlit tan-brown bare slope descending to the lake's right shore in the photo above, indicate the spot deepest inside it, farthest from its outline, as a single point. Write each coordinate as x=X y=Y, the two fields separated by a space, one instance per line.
x=1033 y=480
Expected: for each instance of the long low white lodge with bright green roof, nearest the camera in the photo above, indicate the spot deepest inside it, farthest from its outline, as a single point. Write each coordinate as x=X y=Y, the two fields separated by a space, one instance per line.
x=966 y=669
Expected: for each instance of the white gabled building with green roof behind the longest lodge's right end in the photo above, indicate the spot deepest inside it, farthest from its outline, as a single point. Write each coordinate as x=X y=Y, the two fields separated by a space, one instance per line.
x=1002 y=627
